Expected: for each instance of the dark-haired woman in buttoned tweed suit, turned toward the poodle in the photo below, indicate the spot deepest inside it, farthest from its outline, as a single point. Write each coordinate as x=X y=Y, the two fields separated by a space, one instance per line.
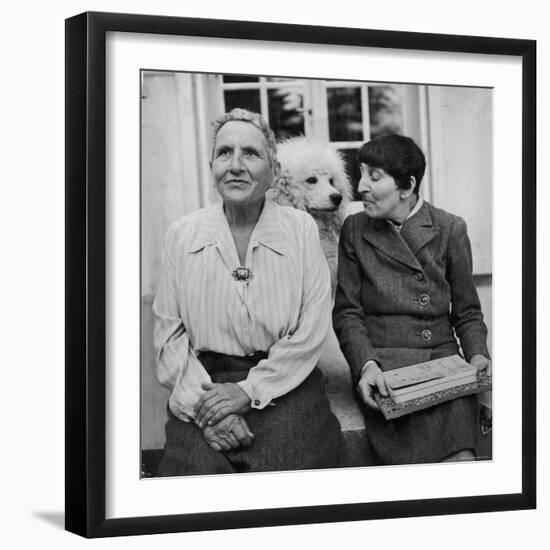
x=405 y=288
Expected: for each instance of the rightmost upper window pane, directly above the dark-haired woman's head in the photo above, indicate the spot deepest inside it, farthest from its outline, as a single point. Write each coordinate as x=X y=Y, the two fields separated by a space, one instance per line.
x=386 y=111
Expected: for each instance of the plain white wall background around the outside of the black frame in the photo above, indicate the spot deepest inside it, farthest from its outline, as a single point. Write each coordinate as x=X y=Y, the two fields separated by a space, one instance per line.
x=31 y=214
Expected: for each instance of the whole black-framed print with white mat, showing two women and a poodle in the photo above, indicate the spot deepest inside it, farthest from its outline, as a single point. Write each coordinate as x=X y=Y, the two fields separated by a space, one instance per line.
x=185 y=305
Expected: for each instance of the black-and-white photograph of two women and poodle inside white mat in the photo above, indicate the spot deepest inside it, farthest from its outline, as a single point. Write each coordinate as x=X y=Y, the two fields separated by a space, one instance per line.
x=316 y=273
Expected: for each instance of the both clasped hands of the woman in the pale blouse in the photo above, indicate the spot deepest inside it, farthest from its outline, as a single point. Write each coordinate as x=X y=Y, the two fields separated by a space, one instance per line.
x=219 y=414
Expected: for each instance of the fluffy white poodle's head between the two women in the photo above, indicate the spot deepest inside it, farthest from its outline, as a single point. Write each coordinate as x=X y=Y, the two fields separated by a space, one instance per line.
x=313 y=177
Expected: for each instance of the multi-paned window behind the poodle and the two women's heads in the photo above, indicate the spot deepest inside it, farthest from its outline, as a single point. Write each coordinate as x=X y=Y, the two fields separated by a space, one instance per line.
x=344 y=113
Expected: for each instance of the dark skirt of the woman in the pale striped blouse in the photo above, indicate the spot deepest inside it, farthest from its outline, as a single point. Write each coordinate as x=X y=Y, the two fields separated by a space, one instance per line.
x=297 y=431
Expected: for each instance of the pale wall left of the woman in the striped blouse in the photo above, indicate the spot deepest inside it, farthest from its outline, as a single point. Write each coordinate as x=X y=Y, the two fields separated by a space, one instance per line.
x=175 y=148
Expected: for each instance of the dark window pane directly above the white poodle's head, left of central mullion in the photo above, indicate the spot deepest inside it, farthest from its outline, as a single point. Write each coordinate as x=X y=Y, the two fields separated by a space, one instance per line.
x=286 y=116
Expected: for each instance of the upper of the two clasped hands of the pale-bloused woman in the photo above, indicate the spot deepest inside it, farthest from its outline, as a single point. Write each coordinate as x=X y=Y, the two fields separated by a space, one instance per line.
x=219 y=401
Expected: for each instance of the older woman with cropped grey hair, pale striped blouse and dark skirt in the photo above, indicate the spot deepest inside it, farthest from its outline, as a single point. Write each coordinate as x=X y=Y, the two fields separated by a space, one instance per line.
x=242 y=311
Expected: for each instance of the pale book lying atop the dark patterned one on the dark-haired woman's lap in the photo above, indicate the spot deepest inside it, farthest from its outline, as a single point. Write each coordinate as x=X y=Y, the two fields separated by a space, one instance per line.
x=421 y=379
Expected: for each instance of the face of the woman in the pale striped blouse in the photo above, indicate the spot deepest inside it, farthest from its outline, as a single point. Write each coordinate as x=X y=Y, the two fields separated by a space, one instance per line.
x=240 y=165
